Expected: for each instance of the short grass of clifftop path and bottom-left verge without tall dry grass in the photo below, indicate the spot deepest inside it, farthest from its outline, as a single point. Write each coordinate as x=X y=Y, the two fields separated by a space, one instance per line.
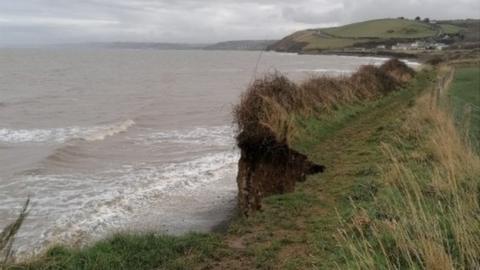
x=293 y=231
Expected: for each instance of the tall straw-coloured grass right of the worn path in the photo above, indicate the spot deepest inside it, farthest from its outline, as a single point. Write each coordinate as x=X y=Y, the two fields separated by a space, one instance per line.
x=422 y=216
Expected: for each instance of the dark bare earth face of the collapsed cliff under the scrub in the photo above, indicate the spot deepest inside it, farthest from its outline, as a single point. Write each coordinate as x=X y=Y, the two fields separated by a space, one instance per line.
x=269 y=168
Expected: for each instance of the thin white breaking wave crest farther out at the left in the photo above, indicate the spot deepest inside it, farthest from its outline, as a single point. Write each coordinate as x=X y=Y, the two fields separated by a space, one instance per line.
x=60 y=135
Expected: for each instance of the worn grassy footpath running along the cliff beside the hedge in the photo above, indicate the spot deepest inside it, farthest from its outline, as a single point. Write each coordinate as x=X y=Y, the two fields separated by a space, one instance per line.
x=297 y=230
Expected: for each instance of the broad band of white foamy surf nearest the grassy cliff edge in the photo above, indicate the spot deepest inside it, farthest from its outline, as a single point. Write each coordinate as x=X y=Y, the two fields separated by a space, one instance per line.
x=85 y=206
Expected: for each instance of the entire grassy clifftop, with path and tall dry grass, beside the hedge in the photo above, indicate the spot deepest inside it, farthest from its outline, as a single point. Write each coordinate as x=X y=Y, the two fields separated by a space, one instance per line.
x=400 y=191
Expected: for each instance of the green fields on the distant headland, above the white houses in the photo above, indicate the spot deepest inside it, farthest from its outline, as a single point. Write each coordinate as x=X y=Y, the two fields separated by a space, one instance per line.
x=374 y=31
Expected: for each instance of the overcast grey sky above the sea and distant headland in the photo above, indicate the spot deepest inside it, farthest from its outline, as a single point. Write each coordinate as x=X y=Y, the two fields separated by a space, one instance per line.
x=31 y=22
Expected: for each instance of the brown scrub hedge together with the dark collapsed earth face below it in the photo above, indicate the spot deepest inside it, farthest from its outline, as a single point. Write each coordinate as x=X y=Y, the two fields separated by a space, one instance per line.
x=267 y=118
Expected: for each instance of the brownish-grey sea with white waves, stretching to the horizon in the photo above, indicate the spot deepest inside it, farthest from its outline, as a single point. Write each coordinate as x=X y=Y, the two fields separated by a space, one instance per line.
x=121 y=140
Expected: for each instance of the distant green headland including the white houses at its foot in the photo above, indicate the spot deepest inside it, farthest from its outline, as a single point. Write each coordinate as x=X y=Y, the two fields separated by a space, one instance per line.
x=399 y=37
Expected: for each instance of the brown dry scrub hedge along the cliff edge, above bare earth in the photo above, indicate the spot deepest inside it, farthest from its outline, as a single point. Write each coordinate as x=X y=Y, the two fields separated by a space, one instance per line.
x=268 y=109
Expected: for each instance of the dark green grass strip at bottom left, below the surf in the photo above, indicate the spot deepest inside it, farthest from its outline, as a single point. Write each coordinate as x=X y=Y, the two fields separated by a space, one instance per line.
x=130 y=251
